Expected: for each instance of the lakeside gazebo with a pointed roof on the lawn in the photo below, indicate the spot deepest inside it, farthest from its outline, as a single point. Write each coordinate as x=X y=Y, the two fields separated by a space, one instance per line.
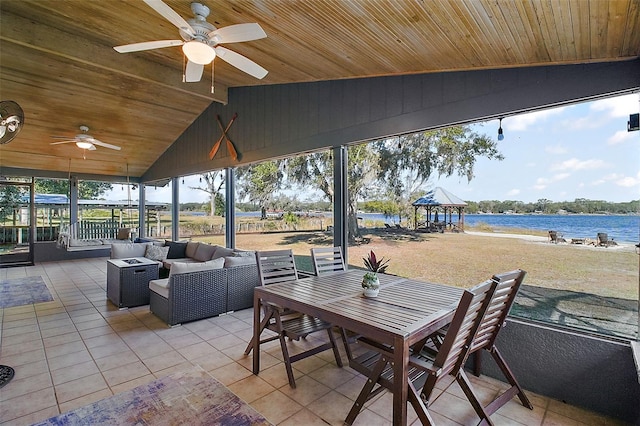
x=440 y=199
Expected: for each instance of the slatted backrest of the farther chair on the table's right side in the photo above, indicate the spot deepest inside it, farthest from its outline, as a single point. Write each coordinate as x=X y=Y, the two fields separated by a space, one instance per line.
x=508 y=284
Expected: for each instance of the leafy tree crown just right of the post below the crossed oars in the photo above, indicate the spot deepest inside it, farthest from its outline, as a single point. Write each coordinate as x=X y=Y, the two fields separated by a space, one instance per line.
x=260 y=182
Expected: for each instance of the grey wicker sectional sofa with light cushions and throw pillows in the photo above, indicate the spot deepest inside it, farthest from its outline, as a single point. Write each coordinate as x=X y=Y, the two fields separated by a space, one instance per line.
x=217 y=281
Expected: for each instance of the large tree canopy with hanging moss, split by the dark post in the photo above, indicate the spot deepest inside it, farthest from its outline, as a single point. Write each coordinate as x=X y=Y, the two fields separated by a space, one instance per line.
x=396 y=167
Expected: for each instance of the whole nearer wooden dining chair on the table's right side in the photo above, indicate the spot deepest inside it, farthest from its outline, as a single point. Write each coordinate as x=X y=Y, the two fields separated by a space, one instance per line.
x=428 y=367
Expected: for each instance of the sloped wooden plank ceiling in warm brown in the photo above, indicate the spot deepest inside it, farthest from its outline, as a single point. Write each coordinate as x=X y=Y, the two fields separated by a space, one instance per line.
x=57 y=61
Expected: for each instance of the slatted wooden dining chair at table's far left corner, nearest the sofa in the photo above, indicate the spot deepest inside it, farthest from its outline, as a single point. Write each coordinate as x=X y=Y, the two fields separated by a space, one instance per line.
x=278 y=266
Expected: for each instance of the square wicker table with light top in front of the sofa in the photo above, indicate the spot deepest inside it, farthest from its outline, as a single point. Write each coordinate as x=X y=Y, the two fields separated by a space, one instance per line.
x=128 y=281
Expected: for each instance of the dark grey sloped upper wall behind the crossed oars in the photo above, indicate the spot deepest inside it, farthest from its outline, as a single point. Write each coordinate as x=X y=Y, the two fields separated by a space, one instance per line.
x=345 y=111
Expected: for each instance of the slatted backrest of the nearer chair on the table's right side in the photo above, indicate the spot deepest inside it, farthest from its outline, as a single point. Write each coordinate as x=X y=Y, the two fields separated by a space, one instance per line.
x=464 y=326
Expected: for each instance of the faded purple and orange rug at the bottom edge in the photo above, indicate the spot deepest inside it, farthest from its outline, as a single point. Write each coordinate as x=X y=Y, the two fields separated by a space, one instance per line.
x=185 y=398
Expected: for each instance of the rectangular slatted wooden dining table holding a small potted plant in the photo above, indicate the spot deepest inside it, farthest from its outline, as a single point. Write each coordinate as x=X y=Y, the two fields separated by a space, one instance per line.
x=404 y=312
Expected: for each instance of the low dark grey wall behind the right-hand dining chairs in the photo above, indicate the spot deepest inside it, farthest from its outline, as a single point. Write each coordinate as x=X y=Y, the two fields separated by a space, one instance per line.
x=581 y=370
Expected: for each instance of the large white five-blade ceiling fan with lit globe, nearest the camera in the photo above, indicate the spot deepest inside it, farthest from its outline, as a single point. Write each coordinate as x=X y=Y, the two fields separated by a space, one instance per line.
x=201 y=41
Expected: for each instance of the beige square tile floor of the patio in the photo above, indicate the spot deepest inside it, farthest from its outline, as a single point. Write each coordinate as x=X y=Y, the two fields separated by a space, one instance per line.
x=80 y=348
